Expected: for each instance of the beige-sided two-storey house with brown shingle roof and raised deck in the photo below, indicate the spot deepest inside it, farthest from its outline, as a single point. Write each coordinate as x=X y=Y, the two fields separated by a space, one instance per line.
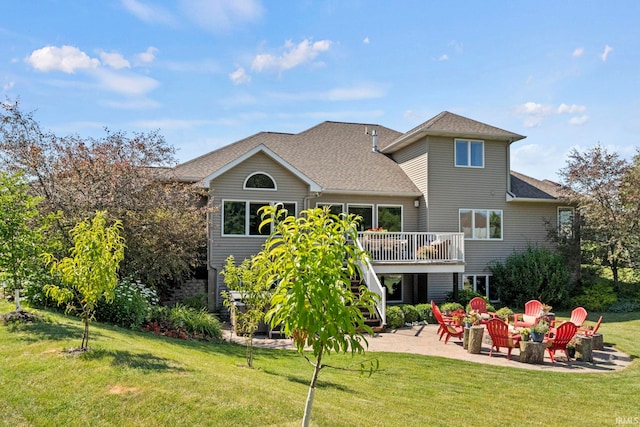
x=443 y=192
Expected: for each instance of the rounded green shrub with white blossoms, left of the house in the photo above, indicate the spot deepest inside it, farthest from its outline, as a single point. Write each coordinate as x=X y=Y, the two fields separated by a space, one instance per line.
x=130 y=306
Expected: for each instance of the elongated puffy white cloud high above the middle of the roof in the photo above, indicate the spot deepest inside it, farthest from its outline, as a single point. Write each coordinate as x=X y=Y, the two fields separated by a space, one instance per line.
x=293 y=56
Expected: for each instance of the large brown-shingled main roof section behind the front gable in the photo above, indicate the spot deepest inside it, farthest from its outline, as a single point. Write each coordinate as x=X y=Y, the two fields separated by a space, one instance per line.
x=337 y=156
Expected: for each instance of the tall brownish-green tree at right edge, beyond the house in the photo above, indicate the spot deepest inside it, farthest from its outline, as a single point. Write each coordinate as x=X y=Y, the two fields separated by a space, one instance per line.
x=607 y=206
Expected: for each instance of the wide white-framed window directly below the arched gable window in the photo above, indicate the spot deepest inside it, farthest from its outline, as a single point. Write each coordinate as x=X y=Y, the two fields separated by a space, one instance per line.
x=241 y=218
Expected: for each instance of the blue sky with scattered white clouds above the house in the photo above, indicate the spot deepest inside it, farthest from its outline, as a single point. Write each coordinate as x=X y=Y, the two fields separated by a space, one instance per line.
x=206 y=73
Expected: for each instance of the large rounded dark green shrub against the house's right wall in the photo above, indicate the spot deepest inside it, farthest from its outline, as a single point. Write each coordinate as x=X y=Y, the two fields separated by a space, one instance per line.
x=535 y=273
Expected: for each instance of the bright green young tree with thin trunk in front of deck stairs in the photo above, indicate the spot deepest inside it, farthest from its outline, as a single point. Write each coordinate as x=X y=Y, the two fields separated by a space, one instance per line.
x=311 y=262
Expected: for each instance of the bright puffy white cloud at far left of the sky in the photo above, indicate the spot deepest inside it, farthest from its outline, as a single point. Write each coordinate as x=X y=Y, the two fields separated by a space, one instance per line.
x=67 y=59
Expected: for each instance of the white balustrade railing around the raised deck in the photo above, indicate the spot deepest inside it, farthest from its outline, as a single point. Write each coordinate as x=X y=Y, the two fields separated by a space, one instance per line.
x=391 y=247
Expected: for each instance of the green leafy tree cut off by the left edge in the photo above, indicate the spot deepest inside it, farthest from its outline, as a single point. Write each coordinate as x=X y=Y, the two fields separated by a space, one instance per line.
x=22 y=232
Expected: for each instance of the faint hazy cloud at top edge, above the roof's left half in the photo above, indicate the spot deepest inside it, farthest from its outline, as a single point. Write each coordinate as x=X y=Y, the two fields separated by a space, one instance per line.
x=221 y=15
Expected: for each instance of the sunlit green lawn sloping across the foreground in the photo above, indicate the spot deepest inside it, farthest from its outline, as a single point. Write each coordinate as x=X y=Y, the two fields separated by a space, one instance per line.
x=139 y=379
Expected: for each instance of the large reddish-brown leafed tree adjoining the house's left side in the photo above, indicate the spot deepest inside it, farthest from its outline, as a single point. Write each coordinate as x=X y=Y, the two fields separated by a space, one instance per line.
x=163 y=221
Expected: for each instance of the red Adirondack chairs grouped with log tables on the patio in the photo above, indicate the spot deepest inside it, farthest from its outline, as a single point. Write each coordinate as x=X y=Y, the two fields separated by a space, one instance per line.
x=533 y=332
